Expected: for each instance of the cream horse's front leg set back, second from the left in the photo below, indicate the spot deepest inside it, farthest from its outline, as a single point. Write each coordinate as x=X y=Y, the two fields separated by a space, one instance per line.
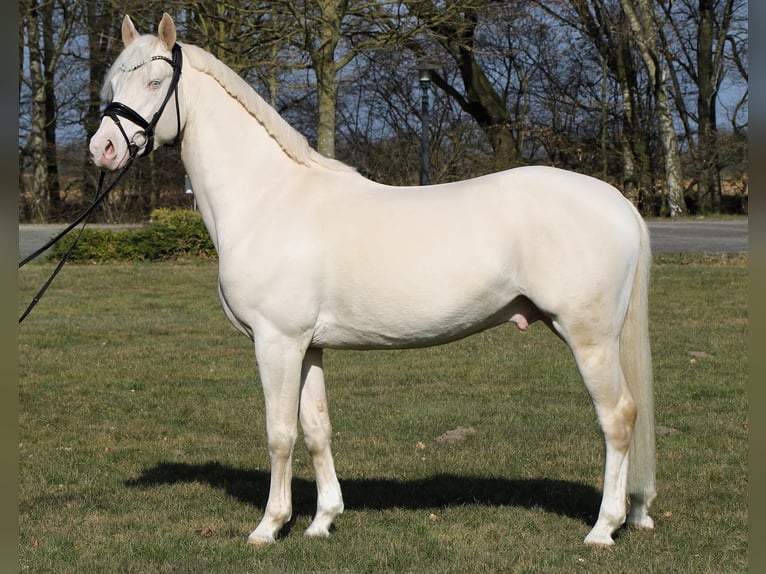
x=317 y=433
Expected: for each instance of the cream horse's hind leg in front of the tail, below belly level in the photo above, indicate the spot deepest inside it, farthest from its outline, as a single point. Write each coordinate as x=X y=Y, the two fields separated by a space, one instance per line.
x=600 y=369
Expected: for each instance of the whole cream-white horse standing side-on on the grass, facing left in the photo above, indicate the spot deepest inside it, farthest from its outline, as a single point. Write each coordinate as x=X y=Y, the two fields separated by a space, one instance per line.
x=312 y=255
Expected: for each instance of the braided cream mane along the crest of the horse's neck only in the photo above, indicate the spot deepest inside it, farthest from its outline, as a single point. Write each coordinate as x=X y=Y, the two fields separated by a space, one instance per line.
x=292 y=142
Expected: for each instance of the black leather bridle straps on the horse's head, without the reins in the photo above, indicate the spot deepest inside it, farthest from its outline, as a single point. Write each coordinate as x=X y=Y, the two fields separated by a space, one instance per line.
x=117 y=110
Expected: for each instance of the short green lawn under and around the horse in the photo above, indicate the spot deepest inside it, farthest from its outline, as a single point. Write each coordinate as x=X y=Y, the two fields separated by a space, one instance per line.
x=142 y=442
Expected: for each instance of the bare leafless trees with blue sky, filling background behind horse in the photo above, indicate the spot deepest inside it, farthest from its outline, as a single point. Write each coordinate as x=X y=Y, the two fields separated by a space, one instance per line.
x=583 y=84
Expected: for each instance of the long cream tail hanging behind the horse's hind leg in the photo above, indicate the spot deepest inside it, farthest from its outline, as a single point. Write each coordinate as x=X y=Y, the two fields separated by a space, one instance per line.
x=636 y=361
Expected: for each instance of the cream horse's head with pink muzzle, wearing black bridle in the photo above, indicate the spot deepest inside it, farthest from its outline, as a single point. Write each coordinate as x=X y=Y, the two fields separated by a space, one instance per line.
x=138 y=87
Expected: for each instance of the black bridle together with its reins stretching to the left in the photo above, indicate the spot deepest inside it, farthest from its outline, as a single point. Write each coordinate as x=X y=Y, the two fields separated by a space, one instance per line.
x=115 y=110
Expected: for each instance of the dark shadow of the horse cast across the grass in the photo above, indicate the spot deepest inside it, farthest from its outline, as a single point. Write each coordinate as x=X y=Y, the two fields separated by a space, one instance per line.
x=571 y=499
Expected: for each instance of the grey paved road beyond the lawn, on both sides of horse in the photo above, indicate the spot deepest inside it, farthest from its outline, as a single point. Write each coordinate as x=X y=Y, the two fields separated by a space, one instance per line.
x=667 y=236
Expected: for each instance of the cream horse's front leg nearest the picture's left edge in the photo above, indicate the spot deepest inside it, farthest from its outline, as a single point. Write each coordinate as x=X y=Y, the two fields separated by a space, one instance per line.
x=279 y=363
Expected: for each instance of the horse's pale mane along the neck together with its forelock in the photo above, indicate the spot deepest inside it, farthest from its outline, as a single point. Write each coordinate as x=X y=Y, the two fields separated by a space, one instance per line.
x=292 y=142
